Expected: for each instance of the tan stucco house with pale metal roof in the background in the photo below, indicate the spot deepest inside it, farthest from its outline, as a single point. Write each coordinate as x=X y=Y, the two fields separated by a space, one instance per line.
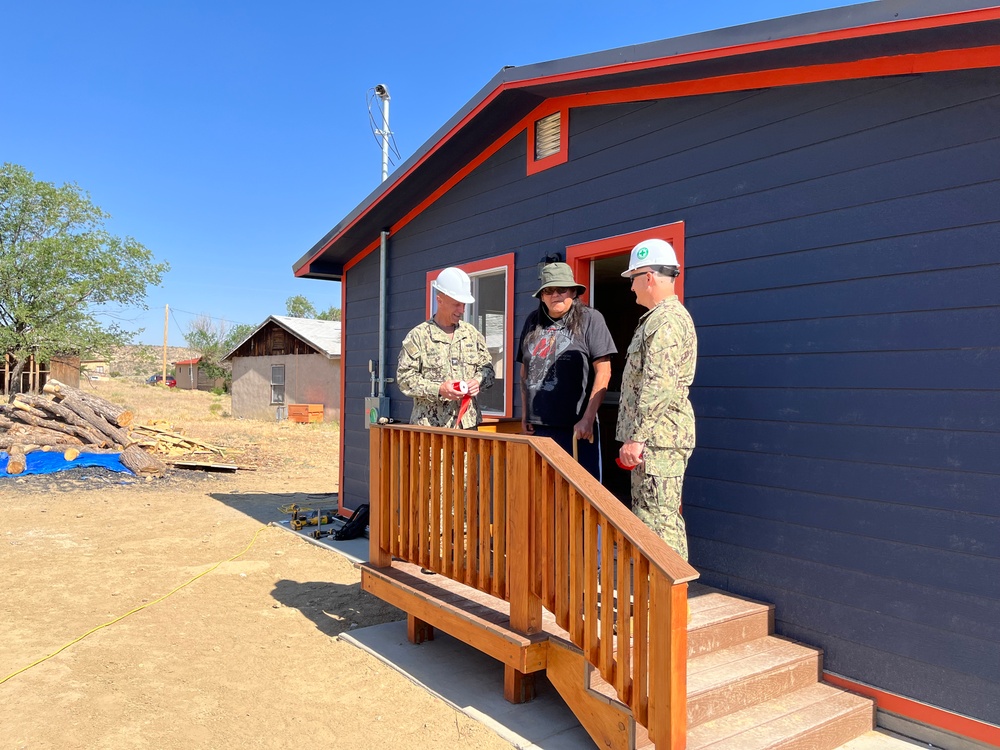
x=286 y=361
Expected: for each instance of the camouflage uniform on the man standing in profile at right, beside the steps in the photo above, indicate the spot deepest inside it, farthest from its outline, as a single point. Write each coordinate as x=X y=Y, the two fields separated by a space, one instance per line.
x=655 y=410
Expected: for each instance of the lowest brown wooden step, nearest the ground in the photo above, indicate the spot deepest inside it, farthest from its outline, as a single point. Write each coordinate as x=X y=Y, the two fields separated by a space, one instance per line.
x=817 y=717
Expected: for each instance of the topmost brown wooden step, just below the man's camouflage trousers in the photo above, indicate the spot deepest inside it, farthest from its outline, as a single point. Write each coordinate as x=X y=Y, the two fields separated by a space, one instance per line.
x=718 y=620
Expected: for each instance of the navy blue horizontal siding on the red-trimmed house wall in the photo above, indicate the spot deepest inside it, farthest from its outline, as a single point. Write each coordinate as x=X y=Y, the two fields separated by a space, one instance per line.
x=843 y=271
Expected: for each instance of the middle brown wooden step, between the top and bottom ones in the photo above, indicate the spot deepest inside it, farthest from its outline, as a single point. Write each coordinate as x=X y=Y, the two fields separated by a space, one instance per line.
x=731 y=679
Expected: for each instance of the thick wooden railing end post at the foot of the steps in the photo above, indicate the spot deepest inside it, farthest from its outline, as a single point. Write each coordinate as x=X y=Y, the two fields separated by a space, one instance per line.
x=668 y=664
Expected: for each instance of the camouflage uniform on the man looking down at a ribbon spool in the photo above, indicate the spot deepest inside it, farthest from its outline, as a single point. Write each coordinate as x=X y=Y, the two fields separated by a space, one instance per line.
x=429 y=357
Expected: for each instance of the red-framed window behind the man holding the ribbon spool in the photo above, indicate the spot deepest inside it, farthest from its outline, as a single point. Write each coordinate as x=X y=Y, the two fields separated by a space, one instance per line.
x=491 y=313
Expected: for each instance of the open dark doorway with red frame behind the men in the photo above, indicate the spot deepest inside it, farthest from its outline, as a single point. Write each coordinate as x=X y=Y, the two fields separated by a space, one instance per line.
x=602 y=263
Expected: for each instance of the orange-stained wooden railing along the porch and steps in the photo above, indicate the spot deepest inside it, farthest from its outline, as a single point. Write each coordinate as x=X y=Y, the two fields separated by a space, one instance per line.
x=516 y=517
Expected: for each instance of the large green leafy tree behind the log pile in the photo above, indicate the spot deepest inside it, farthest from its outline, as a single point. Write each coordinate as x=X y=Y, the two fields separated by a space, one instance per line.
x=58 y=267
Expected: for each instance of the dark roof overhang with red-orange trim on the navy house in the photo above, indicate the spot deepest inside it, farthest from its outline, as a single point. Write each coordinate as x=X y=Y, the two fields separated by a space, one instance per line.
x=855 y=38
